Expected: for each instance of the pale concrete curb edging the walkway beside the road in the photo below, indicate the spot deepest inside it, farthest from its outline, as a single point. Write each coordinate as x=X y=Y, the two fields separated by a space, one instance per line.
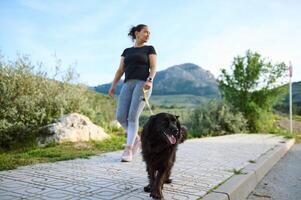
x=238 y=187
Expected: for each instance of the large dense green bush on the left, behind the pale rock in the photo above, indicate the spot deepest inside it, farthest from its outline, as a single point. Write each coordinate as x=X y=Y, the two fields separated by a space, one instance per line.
x=31 y=99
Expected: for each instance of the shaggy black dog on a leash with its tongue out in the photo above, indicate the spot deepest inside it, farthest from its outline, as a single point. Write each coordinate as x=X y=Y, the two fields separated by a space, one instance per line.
x=160 y=138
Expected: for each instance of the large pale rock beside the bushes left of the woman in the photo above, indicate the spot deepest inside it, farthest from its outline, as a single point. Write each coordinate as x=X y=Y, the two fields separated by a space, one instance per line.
x=71 y=128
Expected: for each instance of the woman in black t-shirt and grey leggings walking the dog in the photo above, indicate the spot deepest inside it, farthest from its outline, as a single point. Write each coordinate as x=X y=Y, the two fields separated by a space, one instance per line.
x=139 y=65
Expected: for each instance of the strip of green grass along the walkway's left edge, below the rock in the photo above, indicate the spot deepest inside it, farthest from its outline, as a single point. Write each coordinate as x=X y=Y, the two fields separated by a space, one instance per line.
x=53 y=153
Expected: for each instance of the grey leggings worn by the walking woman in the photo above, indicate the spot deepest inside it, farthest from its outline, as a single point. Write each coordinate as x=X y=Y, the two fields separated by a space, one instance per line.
x=130 y=105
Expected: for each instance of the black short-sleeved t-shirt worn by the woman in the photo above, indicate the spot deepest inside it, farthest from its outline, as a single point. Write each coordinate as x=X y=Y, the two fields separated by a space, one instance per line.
x=136 y=62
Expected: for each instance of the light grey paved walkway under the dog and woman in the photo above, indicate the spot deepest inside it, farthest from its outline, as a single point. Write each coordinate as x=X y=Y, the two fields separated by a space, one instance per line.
x=201 y=165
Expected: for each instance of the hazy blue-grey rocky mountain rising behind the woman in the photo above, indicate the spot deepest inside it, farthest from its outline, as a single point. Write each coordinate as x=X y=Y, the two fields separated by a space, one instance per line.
x=183 y=79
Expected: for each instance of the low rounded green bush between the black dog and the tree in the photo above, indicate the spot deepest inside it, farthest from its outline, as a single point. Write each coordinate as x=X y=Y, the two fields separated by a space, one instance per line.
x=215 y=118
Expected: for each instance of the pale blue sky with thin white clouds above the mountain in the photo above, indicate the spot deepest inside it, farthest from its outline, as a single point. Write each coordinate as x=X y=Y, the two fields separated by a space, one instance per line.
x=91 y=35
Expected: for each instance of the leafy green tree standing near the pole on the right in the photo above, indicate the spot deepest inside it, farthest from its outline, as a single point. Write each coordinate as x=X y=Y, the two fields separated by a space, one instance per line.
x=252 y=88
